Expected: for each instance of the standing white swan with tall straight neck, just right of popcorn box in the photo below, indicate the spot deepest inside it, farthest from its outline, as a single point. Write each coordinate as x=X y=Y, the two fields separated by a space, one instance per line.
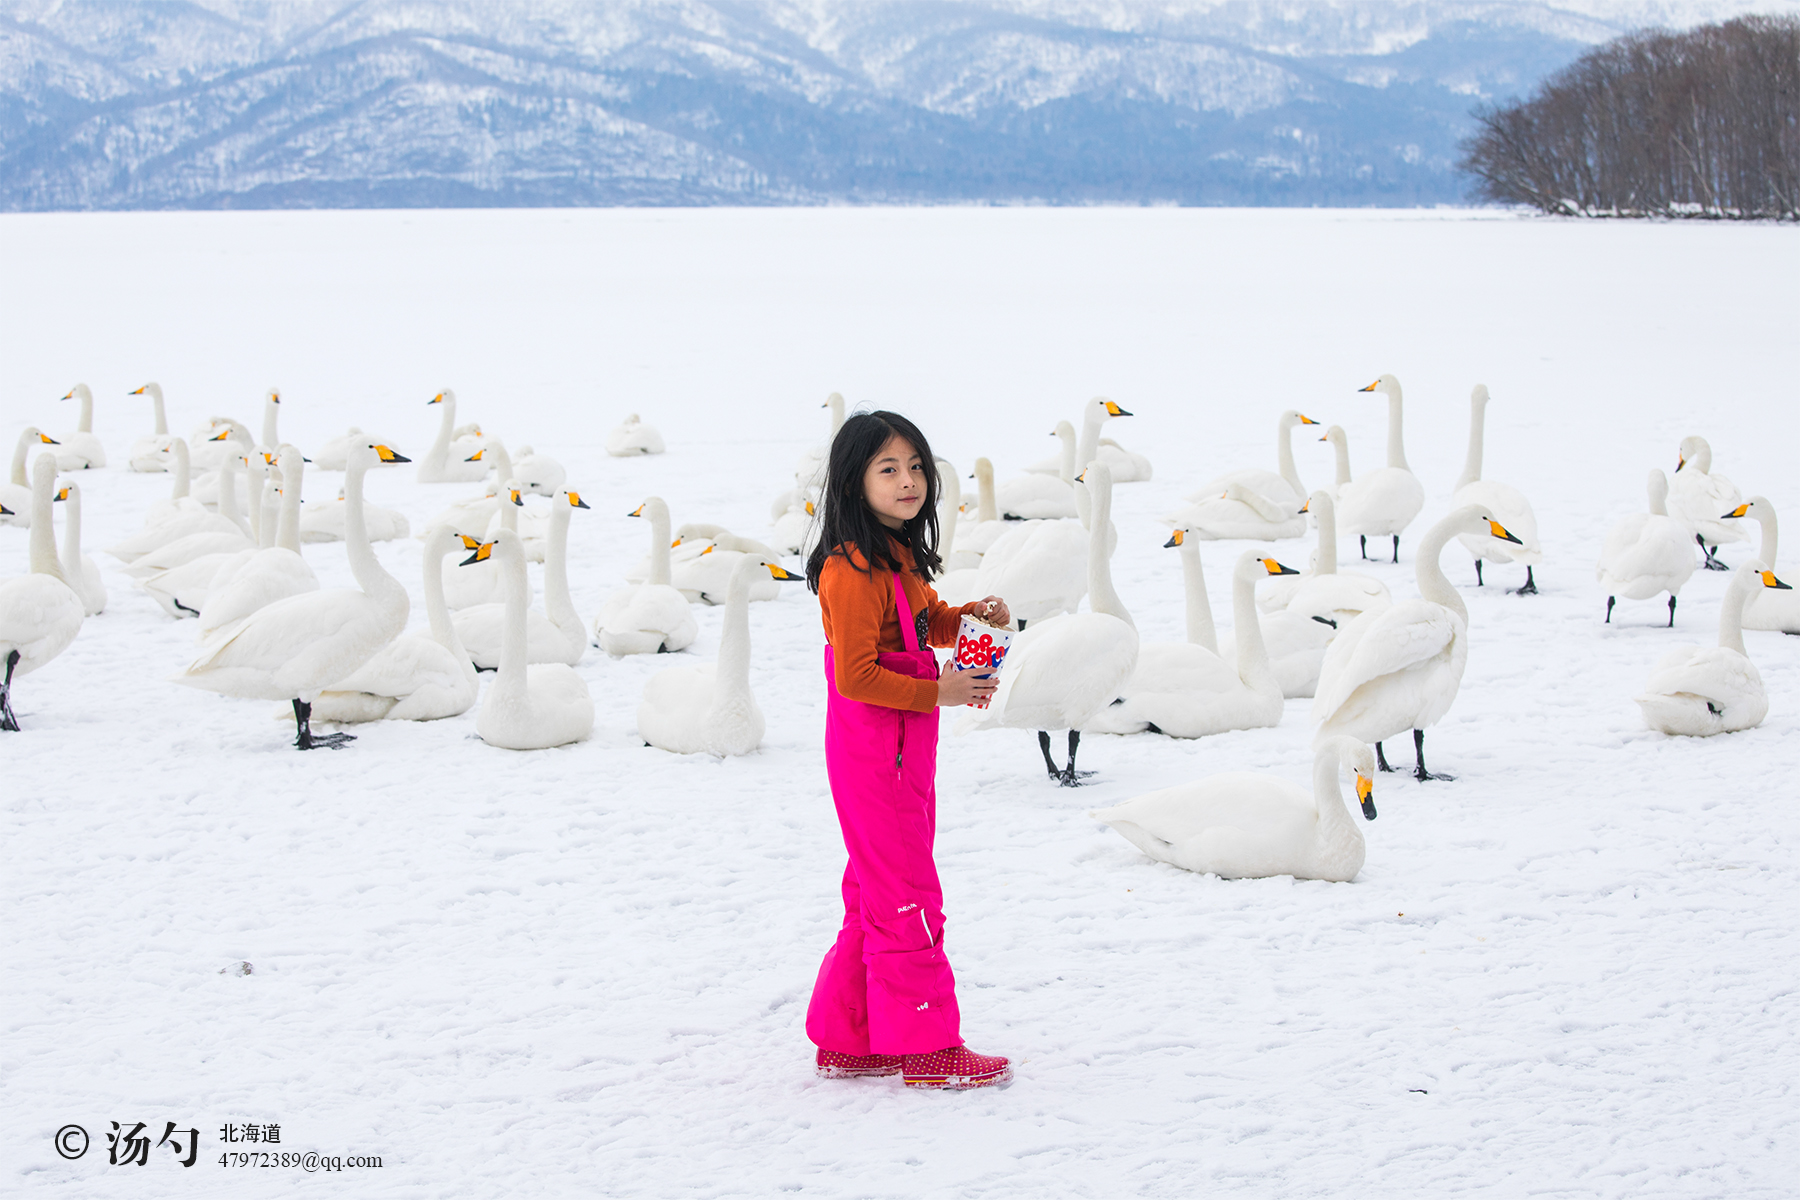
x=1065 y=670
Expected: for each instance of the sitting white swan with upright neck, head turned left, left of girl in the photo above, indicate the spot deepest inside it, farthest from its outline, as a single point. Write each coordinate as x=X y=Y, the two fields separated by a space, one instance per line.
x=530 y=706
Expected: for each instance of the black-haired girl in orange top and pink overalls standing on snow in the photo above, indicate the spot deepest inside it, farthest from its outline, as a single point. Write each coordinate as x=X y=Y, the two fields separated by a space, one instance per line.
x=886 y=1001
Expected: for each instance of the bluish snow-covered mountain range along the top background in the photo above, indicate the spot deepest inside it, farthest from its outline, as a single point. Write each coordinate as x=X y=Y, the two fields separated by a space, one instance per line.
x=328 y=103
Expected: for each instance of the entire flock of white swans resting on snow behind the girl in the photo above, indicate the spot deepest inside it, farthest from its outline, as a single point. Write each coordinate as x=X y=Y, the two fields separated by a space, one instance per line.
x=228 y=550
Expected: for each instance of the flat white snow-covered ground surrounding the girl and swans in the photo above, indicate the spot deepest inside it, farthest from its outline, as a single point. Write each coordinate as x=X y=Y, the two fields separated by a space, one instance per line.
x=584 y=972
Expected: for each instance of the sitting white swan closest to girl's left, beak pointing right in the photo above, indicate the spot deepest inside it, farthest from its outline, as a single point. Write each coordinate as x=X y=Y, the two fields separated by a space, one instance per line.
x=708 y=706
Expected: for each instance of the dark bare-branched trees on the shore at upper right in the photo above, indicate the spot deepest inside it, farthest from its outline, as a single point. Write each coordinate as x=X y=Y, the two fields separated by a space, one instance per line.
x=1702 y=123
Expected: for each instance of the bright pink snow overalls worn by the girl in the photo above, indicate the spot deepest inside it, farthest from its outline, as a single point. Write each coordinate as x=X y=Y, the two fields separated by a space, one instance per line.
x=886 y=987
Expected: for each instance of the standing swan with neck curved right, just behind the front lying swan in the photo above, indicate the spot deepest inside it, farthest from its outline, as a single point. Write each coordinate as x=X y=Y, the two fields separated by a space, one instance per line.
x=1399 y=668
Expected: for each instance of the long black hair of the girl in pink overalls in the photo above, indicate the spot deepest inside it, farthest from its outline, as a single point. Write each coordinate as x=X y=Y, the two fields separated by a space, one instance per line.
x=845 y=515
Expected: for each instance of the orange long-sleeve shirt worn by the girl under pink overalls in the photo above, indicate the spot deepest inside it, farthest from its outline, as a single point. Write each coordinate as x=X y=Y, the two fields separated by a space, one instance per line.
x=861 y=622
